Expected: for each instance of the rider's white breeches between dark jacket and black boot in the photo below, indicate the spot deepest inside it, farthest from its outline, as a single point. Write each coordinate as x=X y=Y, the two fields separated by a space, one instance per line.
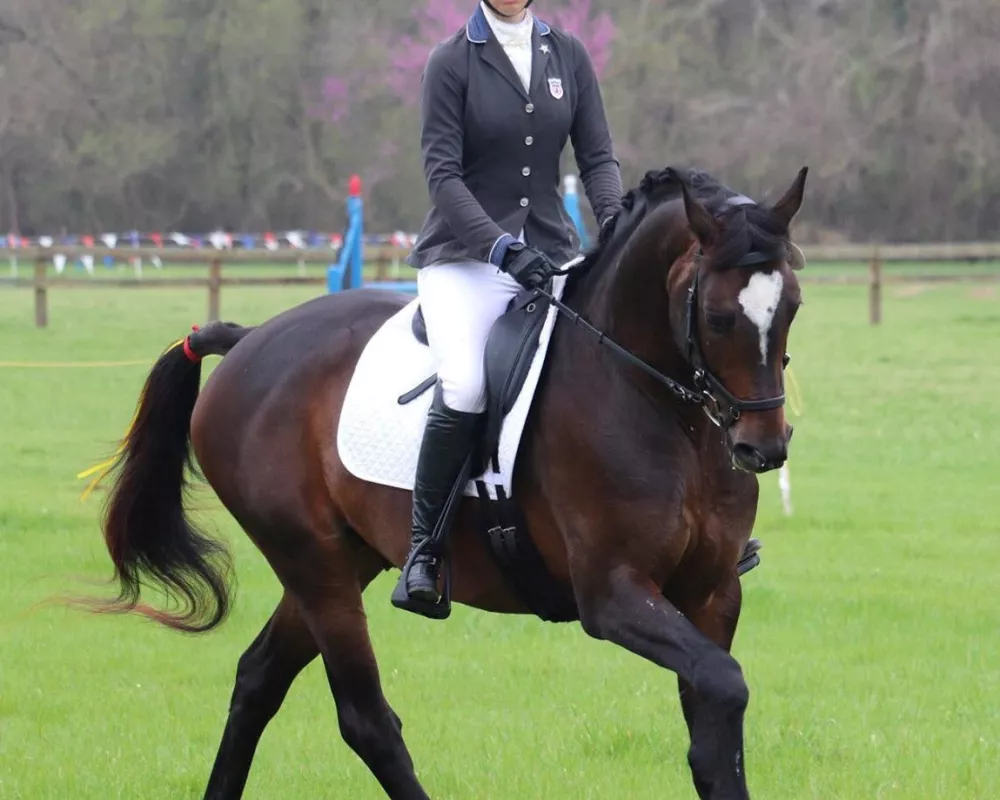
x=460 y=302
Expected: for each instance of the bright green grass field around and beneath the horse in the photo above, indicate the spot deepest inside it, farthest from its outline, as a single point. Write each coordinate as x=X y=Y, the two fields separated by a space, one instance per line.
x=868 y=638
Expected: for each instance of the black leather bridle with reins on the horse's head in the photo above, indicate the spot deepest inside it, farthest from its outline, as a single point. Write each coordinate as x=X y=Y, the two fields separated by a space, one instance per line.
x=721 y=406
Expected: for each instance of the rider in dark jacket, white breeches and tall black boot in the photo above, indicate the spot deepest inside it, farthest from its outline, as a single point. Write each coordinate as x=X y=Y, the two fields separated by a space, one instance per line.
x=499 y=100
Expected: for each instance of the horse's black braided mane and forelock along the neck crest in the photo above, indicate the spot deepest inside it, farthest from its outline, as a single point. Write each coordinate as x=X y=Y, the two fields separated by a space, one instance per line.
x=746 y=227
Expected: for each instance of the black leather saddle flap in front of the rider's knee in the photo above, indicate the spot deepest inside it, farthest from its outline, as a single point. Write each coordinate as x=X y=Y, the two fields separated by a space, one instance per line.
x=510 y=349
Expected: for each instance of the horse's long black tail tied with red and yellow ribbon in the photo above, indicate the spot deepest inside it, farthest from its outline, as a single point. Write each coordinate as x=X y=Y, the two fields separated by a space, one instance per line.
x=148 y=534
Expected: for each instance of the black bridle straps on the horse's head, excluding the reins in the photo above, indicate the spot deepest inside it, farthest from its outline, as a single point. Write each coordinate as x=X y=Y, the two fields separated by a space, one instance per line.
x=721 y=405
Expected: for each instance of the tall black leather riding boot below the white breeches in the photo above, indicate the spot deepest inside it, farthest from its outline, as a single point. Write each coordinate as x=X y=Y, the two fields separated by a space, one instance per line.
x=448 y=441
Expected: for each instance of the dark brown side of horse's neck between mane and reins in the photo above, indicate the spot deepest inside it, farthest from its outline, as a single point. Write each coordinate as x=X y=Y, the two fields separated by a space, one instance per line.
x=631 y=301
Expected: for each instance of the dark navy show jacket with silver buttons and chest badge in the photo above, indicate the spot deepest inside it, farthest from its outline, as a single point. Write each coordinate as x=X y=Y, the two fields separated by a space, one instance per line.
x=491 y=151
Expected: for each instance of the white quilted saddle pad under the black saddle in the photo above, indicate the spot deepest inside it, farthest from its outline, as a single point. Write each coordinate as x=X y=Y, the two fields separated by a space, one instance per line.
x=378 y=439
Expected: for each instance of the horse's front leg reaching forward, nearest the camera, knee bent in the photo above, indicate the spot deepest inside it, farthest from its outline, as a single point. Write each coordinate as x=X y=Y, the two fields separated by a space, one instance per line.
x=627 y=608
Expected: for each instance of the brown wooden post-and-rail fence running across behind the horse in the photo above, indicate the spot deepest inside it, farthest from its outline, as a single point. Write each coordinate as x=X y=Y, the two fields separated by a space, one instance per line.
x=379 y=257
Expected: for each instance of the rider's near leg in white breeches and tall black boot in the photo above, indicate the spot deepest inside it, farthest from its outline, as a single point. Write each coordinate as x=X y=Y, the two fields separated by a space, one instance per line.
x=460 y=303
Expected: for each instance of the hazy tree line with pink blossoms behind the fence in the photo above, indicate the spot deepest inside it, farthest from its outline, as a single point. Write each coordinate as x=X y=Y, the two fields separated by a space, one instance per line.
x=198 y=114
